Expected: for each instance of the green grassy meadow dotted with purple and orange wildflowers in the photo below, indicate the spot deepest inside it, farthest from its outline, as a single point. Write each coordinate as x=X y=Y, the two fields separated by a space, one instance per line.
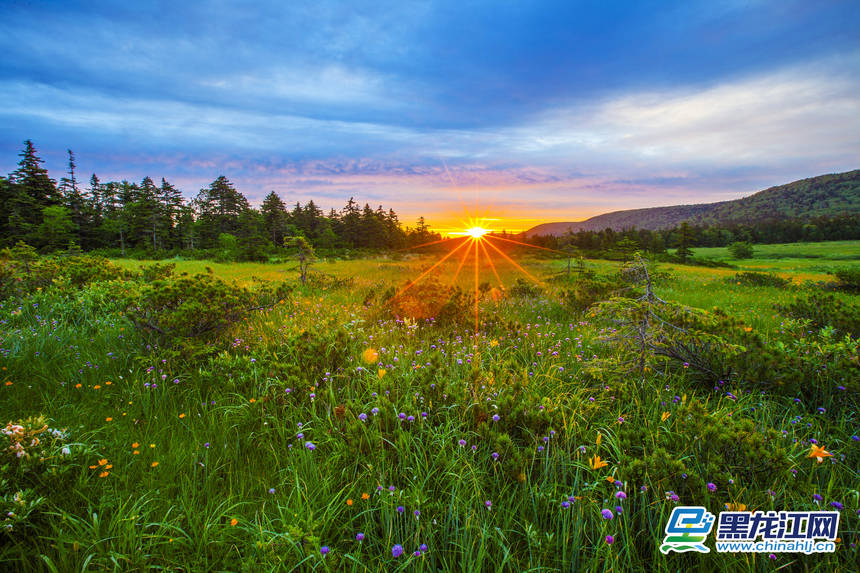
x=355 y=424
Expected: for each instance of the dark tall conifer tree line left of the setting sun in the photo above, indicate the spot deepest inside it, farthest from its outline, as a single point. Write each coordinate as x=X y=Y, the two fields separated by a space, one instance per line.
x=154 y=217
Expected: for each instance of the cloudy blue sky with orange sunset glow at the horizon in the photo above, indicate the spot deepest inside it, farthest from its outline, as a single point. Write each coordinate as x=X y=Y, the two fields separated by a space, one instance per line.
x=518 y=112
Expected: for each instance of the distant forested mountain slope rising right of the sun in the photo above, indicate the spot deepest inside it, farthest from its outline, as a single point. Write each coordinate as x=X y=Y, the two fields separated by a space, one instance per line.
x=825 y=195
